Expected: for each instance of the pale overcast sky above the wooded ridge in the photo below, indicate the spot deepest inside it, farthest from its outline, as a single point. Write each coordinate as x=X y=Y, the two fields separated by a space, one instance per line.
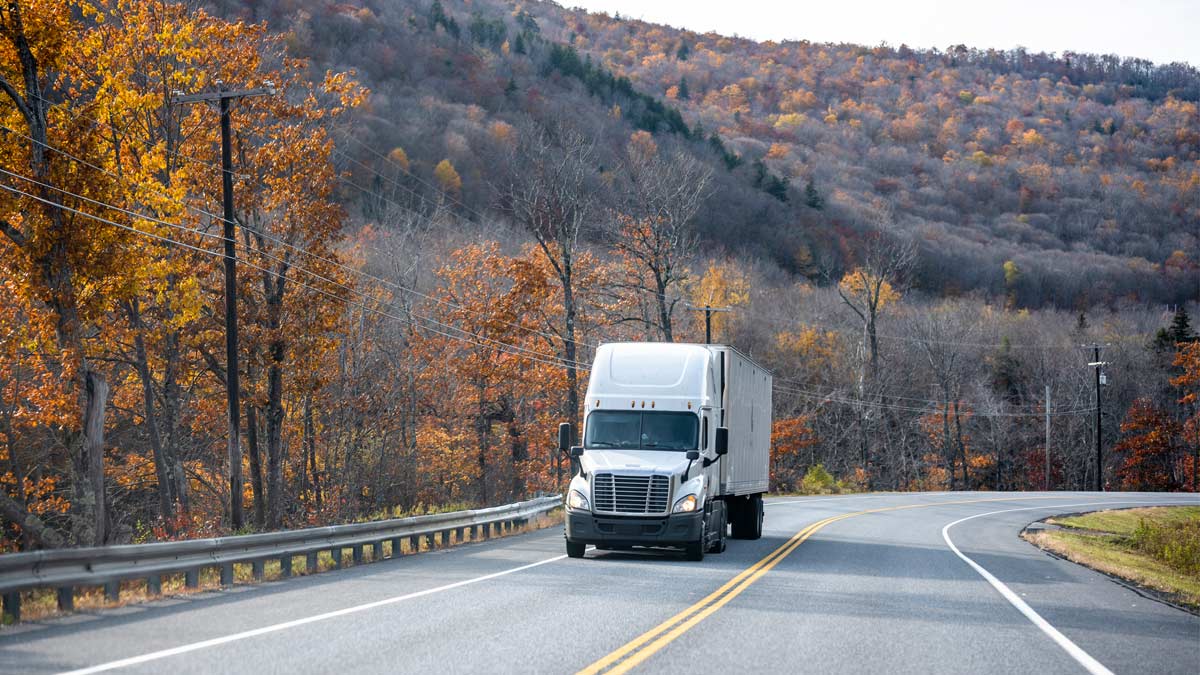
x=1160 y=31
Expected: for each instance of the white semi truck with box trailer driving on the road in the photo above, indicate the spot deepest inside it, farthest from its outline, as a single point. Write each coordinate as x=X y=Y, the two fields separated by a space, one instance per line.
x=676 y=450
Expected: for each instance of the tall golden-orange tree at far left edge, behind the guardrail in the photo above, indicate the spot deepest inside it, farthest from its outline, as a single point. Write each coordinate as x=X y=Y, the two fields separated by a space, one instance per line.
x=73 y=261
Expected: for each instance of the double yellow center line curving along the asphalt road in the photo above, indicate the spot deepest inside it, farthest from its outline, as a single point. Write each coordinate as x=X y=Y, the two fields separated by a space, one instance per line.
x=644 y=647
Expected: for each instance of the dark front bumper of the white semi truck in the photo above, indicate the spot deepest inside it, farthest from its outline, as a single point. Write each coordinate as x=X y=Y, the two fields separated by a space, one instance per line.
x=675 y=530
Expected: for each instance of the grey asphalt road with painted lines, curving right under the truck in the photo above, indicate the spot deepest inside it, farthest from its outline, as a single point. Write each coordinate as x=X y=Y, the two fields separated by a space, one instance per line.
x=857 y=584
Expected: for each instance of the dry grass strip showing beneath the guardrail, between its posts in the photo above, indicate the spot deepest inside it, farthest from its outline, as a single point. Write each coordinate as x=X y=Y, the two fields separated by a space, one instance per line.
x=43 y=604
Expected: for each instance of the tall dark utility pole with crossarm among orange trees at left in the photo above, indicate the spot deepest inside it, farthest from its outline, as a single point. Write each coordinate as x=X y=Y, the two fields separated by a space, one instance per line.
x=233 y=390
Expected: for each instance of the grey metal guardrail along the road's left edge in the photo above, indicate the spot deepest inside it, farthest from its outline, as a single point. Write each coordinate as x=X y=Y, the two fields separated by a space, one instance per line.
x=109 y=566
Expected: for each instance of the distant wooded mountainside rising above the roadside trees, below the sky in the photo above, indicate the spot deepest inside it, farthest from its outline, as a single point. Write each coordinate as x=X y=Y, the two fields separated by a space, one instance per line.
x=1060 y=164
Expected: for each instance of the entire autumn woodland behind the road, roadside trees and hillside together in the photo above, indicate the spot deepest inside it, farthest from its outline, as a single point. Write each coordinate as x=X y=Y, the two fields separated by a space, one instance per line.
x=446 y=207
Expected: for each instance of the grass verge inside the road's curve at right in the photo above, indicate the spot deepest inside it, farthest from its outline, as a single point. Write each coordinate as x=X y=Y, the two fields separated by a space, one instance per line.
x=1157 y=549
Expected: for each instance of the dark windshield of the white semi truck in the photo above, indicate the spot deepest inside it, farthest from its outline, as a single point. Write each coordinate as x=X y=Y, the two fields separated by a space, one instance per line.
x=649 y=431
